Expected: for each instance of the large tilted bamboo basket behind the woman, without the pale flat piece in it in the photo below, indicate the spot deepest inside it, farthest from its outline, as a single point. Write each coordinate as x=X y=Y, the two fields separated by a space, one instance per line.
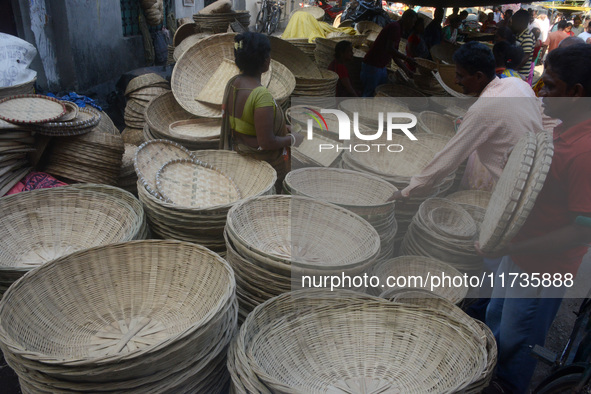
x=199 y=63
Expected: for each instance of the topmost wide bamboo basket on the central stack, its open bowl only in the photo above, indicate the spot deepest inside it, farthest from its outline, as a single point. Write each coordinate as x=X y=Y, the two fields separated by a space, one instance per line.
x=287 y=229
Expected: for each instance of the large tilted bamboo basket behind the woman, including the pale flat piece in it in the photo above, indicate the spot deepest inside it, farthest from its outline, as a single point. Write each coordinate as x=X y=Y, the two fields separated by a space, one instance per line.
x=201 y=74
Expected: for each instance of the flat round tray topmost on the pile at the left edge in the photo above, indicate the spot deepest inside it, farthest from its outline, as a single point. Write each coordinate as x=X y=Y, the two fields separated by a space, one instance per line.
x=31 y=108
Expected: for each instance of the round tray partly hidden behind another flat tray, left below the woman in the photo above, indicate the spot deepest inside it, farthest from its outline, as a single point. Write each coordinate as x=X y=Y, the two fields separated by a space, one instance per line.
x=151 y=156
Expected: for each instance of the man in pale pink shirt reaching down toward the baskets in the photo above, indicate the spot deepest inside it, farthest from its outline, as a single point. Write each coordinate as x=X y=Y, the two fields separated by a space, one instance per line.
x=490 y=128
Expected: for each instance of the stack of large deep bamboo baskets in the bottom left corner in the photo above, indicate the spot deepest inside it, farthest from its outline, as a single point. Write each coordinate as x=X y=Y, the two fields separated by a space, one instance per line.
x=134 y=317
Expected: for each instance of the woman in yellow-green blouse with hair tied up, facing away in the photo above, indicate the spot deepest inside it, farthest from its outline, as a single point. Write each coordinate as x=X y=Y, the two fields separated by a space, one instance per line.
x=253 y=124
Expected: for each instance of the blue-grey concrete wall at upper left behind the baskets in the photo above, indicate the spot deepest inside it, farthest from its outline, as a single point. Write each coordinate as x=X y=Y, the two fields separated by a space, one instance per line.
x=80 y=42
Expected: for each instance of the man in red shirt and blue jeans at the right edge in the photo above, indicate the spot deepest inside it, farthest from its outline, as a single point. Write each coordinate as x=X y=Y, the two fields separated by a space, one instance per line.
x=549 y=243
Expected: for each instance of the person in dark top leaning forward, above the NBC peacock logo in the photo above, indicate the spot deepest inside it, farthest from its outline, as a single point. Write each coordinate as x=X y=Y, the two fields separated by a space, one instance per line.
x=384 y=50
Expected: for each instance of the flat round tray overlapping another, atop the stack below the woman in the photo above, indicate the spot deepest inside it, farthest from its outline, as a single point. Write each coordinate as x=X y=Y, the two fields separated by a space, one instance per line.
x=191 y=183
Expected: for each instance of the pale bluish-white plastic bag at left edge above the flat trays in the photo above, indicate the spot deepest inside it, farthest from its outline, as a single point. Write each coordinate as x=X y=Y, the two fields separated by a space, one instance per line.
x=16 y=56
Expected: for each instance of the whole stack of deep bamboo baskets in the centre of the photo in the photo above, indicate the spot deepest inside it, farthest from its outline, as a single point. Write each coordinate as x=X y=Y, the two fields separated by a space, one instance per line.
x=273 y=242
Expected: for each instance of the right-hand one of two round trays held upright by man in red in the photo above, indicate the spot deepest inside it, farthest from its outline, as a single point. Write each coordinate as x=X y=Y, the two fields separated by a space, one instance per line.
x=535 y=182
